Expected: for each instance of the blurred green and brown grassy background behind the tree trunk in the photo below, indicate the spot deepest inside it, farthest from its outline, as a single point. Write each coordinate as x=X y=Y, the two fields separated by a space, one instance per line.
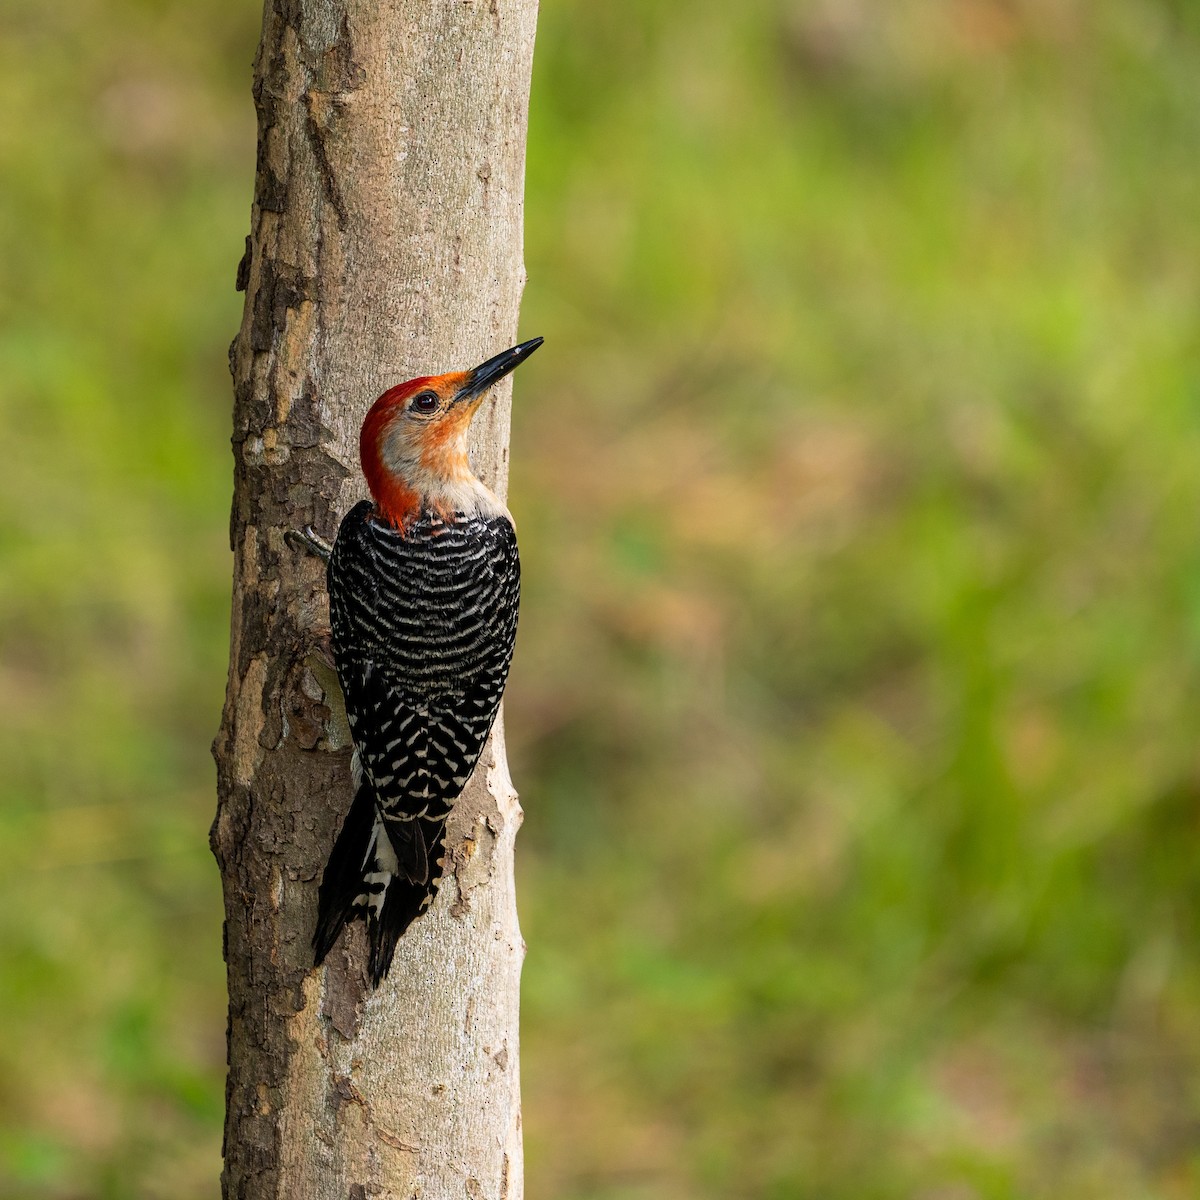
x=855 y=712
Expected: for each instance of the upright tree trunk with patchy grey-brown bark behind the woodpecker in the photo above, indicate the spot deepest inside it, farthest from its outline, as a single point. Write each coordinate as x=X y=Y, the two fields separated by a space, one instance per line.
x=386 y=244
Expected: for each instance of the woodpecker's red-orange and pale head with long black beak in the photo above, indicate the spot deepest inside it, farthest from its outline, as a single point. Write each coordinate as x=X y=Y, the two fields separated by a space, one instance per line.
x=413 y=445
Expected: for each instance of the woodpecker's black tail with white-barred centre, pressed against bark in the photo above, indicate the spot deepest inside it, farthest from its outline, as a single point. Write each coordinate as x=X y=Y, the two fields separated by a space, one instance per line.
x=369 y=877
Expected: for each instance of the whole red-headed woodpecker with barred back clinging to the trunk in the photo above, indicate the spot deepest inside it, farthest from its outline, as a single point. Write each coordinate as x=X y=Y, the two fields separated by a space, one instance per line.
x=424 y=585
